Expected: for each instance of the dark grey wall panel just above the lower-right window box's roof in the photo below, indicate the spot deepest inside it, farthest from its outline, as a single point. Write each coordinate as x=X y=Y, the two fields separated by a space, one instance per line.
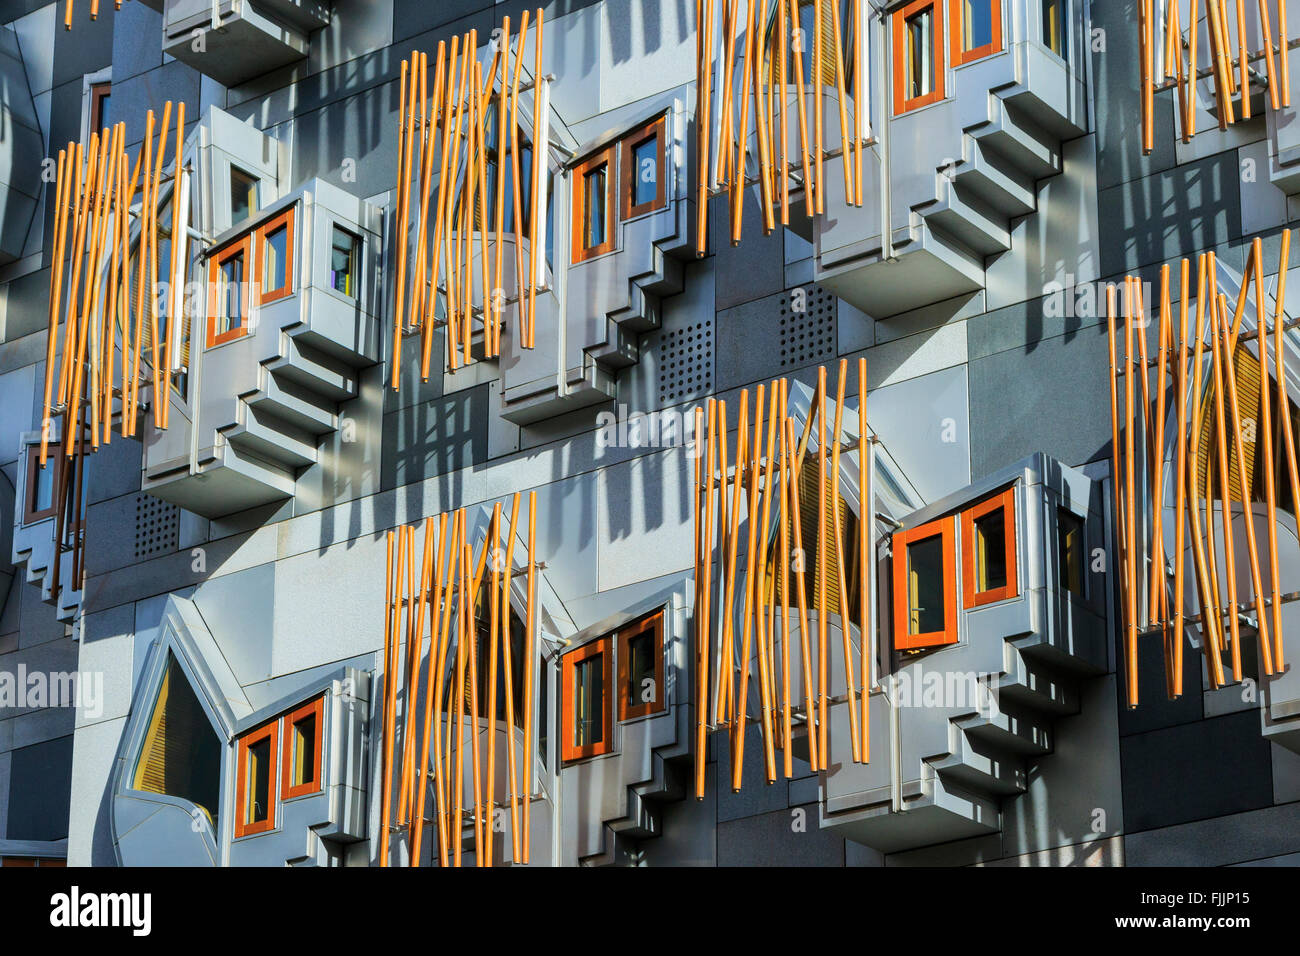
x=1047 y=396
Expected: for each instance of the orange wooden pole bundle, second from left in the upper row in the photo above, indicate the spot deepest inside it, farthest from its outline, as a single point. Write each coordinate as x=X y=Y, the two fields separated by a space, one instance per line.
x=450 y=132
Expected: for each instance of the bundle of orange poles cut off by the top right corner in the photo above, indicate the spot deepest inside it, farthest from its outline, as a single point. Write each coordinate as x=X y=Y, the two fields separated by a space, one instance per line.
x=1230 y=62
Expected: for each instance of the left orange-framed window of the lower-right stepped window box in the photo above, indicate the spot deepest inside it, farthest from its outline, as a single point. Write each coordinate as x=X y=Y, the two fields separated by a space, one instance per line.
x=925 y=586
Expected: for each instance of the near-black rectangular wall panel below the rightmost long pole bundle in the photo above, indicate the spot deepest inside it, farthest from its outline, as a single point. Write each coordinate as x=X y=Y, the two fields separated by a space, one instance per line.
x=1195 y=771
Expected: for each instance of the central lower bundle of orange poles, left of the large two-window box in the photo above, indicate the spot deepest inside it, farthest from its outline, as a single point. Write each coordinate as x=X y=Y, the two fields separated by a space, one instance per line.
x=769 y=460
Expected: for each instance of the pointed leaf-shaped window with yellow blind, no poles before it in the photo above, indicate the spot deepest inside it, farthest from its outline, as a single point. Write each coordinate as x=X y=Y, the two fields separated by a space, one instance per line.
x=181 y=756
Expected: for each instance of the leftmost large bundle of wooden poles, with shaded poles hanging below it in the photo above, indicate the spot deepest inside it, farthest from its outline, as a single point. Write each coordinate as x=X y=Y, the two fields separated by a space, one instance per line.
x=101 y=310
